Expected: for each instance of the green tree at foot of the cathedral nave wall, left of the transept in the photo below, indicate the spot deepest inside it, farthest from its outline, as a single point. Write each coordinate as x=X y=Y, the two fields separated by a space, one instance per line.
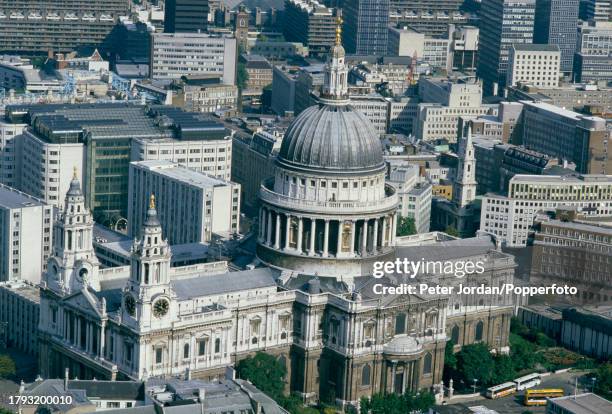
x=265 y=372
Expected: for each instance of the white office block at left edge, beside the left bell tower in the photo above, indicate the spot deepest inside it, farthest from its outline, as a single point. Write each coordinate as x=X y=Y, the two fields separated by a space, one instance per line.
x=25 y=235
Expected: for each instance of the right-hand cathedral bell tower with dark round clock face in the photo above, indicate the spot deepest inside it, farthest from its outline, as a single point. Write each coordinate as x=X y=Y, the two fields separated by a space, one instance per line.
x=148 y=297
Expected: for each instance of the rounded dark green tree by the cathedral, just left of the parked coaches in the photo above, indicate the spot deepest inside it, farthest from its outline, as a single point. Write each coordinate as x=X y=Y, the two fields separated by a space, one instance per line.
x=475 y=361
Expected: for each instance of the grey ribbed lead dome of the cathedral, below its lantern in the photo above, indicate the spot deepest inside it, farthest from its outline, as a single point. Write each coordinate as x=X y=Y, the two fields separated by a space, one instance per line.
x=331 y=138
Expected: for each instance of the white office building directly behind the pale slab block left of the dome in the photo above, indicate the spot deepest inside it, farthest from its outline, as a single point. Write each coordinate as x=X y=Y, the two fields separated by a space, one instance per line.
x=210 y=156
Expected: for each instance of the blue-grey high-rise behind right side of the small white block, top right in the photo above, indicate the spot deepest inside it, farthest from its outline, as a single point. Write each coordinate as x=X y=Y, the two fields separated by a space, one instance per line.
x=555 y=24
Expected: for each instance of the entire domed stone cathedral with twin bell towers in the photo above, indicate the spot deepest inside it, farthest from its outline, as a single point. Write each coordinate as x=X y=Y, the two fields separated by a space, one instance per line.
x=326 y=217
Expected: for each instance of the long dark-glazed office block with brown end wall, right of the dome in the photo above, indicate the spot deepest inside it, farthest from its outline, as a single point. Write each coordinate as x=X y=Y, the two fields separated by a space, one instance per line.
x=577 y=138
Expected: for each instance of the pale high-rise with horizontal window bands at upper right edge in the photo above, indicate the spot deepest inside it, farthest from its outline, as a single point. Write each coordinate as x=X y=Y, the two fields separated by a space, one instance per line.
x=593 y=60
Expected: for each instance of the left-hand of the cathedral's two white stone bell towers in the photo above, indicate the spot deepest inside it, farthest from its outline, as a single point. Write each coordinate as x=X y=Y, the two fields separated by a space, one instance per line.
x=73 y=264
